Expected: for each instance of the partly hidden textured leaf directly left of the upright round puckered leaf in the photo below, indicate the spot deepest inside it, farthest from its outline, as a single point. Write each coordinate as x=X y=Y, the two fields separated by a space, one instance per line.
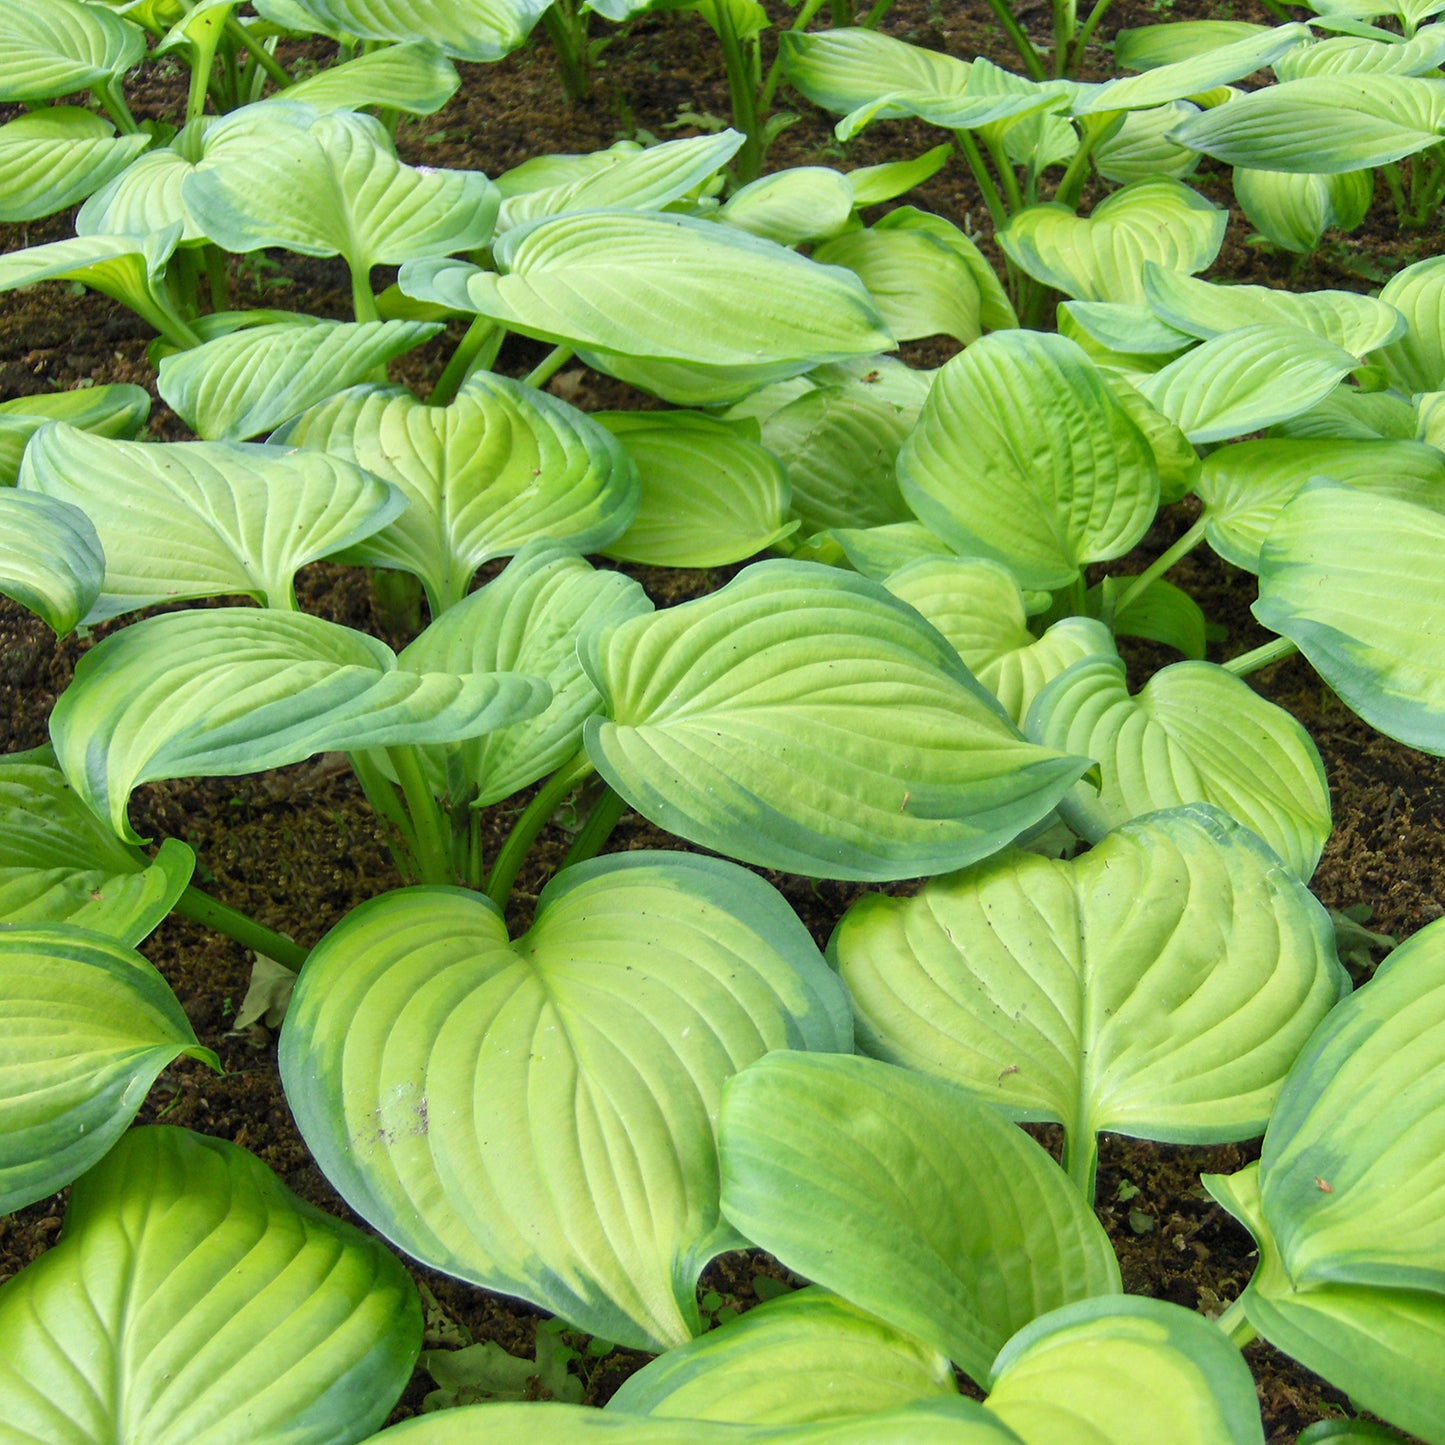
x=840 y=446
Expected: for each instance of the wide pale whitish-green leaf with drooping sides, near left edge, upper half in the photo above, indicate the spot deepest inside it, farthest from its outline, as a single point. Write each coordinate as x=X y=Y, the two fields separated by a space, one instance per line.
x=204 y=519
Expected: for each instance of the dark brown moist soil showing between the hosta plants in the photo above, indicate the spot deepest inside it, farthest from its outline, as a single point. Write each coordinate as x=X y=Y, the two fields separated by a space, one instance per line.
x=297 y=849
